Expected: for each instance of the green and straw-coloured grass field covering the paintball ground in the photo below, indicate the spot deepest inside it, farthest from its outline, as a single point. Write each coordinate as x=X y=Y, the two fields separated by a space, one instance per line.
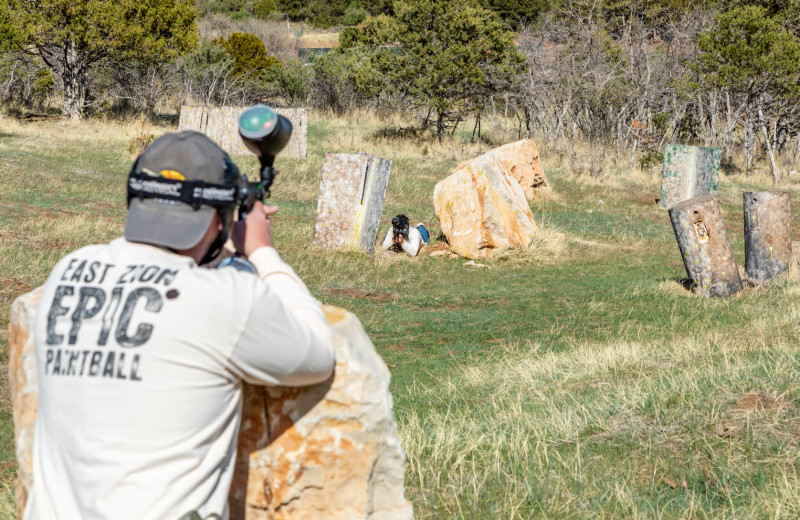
x=577 y=380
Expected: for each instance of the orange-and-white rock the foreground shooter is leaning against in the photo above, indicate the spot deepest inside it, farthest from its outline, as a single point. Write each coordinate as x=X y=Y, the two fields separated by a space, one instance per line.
x=324 y=451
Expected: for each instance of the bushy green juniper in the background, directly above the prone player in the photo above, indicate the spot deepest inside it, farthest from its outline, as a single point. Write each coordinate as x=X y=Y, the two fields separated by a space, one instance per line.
x=448 y=58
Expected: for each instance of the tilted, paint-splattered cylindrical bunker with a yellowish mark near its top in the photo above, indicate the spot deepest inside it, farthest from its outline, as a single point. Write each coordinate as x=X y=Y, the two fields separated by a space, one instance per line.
x=703 y=242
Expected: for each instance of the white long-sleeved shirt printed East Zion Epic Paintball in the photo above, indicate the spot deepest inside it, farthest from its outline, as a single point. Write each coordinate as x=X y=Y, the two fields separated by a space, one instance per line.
x=140 y=355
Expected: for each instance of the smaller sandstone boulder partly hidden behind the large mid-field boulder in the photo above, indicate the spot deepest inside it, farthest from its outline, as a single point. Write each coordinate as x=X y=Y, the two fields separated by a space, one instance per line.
x=521 y=161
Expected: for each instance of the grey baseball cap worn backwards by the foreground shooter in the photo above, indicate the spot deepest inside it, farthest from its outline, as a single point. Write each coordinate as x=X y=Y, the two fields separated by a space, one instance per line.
x=186 y=155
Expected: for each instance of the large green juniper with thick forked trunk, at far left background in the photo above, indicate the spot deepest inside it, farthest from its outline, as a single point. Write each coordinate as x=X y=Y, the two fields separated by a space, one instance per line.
x=75 y=38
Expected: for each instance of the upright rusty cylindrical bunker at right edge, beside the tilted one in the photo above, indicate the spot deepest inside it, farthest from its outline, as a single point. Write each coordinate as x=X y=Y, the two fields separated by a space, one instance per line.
x=767 y=233
